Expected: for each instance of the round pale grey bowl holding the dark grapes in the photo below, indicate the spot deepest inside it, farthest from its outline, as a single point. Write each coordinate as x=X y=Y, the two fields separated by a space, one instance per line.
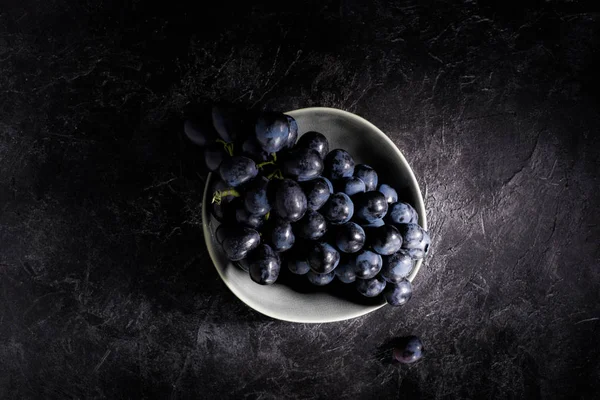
x=295 y=300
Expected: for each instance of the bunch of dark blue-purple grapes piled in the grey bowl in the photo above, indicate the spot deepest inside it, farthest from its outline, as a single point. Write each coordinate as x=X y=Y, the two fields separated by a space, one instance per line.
x=288 y=201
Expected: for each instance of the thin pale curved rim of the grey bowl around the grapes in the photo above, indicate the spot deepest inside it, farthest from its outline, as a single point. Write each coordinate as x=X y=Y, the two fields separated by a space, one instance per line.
x=420 y=208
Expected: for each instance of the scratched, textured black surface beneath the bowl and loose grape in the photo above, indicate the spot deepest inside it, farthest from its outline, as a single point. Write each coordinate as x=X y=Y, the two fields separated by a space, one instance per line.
x=107 y=290
